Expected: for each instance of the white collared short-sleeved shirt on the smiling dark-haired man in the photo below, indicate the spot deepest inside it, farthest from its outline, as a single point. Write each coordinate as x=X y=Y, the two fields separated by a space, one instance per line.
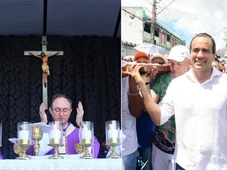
x=201 y=120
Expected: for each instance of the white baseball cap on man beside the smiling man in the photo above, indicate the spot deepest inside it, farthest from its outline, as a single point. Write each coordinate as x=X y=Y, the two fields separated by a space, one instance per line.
x=179 y=53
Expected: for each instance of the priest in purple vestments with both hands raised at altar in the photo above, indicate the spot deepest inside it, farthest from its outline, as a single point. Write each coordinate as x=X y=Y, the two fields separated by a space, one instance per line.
x=60 y=110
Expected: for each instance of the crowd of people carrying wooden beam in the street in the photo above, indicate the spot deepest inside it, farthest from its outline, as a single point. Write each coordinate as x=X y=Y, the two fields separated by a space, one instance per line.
x=178 y=117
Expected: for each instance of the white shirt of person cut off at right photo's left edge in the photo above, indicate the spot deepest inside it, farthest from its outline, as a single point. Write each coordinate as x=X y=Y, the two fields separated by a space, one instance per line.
x=129 y=135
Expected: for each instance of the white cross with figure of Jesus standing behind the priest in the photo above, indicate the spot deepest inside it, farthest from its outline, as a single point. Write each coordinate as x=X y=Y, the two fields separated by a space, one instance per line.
x=44 y=55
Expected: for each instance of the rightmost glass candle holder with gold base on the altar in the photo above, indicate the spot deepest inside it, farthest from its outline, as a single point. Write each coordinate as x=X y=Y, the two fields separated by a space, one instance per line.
x=112 y=129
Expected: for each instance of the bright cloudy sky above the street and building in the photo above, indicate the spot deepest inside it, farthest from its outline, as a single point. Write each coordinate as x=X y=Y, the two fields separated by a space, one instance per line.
x=185 y=18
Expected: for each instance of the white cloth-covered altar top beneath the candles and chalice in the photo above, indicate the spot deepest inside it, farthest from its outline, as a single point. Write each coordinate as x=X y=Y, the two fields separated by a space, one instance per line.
x=70 y=162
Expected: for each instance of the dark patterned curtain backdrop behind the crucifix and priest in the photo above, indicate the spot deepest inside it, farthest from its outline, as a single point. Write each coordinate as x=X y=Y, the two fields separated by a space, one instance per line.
x=89 y=71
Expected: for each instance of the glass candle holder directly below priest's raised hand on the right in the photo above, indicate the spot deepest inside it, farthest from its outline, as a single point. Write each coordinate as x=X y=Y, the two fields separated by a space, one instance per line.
x=86 y=135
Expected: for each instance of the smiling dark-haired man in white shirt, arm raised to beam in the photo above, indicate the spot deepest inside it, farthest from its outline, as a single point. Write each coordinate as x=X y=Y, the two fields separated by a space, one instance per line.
x=199 y=101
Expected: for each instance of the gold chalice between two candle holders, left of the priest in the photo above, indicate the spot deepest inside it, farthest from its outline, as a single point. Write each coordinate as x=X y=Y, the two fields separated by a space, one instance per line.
x=37 y=135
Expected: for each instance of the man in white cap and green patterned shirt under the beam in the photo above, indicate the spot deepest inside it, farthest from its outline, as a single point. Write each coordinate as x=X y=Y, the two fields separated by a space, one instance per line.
x=164 y=136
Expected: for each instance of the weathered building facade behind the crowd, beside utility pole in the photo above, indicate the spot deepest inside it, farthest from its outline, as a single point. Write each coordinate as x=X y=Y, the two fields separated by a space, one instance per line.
x=136 y=28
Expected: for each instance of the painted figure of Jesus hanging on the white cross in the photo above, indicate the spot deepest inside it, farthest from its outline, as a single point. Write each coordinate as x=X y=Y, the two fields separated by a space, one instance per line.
x=45 y=66
